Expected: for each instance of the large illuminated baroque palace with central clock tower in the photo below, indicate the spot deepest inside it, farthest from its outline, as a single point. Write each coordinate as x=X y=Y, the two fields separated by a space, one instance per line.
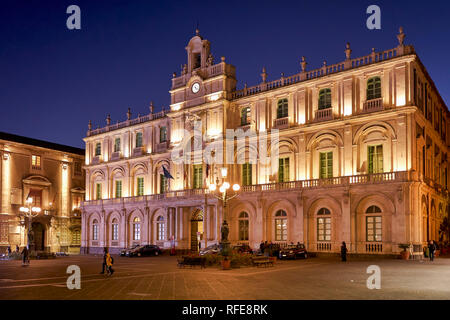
x=362 y=149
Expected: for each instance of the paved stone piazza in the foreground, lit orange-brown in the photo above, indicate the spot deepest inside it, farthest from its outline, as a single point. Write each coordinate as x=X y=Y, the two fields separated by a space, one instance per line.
x=159 y=278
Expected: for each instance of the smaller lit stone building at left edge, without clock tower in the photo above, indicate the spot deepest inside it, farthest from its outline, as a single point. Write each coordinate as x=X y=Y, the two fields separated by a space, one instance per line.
x=52 y=177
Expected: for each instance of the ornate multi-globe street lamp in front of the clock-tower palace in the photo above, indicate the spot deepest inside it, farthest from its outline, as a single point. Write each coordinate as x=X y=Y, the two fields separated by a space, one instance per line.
x=222 y=192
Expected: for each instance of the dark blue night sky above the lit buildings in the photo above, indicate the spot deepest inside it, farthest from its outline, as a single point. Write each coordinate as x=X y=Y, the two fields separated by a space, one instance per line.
x=53 y=80
